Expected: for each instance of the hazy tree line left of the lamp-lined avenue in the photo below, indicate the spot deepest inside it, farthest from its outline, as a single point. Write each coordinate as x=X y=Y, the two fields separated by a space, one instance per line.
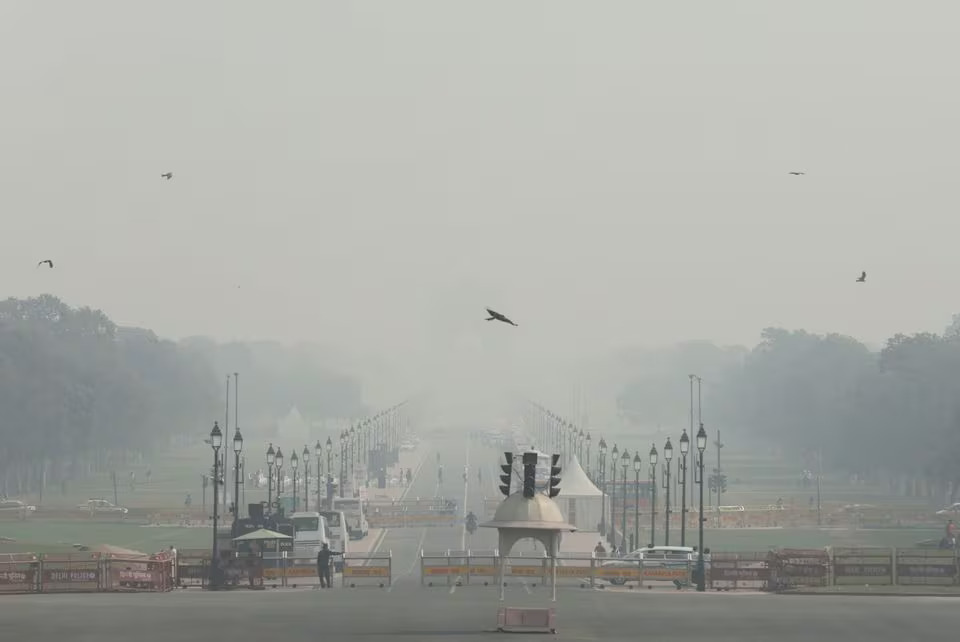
x=80 y=394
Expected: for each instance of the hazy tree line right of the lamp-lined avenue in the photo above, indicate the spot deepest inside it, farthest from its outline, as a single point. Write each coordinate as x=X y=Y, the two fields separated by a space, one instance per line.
x=882 y=415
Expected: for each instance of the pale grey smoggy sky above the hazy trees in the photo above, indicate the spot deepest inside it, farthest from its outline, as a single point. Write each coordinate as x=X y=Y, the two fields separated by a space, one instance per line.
x=370 y=175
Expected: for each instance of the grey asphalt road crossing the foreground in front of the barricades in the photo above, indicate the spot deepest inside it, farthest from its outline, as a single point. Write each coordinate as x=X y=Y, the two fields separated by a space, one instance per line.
x=418 y=614
